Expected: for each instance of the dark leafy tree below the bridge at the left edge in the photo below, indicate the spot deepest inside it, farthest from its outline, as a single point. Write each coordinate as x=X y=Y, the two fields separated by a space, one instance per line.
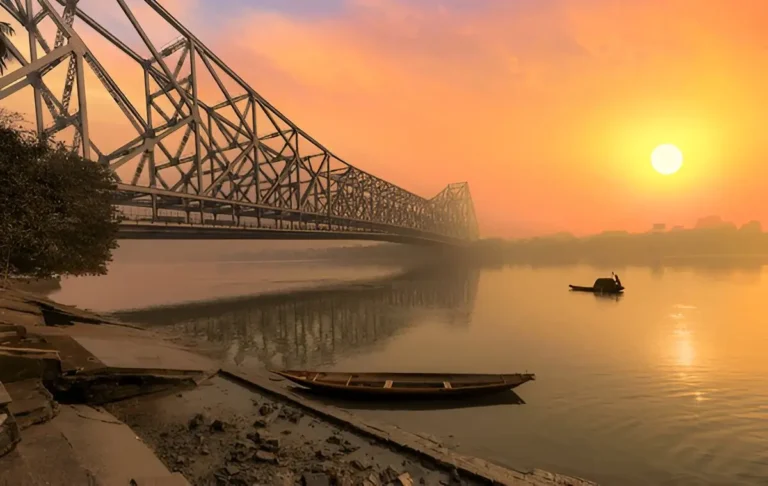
x=56 y=213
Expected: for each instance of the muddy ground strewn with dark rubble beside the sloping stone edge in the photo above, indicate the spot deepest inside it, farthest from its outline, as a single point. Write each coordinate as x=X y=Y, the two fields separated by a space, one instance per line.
x=221 y=434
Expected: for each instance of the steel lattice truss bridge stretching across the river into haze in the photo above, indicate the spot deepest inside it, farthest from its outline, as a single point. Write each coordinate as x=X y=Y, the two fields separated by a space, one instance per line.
x=200 y=145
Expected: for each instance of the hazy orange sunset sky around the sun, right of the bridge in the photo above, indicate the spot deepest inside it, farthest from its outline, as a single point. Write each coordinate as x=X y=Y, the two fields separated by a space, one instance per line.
x=548 y=108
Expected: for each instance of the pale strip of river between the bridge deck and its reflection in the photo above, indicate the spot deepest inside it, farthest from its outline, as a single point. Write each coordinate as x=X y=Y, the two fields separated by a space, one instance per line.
x=147 y=273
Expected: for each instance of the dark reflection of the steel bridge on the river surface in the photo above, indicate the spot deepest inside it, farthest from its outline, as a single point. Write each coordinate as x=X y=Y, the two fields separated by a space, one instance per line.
x=307 y=329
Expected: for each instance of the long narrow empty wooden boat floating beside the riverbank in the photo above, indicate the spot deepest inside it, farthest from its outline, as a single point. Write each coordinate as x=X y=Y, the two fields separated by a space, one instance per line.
x=405 y=385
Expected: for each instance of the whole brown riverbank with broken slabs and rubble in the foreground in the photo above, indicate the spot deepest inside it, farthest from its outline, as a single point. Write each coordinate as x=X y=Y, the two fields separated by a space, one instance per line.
x=219 y=427
